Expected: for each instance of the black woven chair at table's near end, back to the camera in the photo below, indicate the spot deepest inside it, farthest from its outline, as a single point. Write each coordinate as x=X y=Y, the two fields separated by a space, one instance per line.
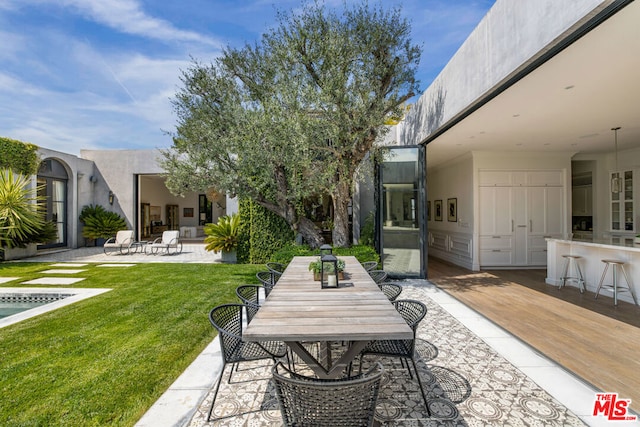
x=308 y=401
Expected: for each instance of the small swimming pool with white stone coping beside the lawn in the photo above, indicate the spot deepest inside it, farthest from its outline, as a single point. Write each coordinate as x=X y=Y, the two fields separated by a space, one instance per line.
x=18 y=304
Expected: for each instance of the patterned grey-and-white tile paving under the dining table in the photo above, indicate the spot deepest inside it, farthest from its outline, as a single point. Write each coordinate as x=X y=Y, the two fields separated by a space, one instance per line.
x=454 y=364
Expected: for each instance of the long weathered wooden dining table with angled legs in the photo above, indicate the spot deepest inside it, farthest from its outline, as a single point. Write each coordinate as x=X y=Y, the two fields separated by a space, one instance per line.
x=299 y=311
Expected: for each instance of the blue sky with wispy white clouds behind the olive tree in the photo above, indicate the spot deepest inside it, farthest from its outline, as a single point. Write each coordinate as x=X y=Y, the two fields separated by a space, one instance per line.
x=100 y=74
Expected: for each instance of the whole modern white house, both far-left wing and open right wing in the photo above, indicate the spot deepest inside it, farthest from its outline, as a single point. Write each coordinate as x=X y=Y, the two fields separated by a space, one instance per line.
x=510 y=145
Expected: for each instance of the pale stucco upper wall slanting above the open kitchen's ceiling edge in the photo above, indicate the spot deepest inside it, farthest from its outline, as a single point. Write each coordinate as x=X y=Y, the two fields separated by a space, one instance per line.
x=509 y=37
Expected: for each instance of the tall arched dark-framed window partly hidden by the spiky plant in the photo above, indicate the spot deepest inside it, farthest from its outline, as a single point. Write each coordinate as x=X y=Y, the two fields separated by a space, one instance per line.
x=52 y=184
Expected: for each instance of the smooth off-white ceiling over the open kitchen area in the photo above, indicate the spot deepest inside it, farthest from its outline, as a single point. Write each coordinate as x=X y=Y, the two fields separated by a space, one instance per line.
x=569 y=104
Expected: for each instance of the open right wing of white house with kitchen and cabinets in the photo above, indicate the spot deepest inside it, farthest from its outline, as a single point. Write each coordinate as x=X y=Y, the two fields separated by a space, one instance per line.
x=518 y=130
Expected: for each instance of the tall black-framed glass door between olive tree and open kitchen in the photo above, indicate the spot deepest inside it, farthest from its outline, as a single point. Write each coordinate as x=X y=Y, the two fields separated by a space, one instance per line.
x=401 y=208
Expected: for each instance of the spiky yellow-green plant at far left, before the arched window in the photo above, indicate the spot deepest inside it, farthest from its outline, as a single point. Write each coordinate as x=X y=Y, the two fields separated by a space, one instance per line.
x=21 y=217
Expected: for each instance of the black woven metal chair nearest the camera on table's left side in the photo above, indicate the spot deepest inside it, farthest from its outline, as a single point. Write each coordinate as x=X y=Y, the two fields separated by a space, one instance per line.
x=227 y=319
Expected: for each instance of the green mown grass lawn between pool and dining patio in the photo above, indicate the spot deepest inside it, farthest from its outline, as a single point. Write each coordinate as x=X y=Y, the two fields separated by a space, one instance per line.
x=107 y=359
